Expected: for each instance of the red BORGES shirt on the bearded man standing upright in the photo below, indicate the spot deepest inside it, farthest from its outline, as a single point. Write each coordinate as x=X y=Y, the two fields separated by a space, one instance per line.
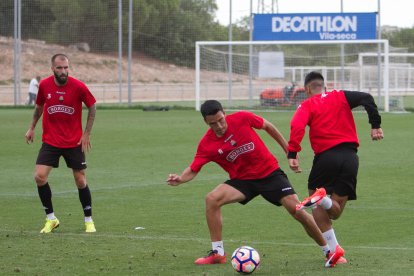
x=62 y=111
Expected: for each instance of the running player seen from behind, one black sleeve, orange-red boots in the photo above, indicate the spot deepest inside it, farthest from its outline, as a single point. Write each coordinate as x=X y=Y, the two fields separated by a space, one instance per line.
x=334 y=140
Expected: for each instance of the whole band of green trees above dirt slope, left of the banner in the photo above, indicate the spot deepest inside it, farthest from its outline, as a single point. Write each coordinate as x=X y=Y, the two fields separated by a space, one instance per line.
x=164 y=29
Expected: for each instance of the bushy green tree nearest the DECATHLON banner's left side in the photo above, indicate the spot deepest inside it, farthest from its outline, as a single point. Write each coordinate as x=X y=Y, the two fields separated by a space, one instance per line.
x=176 y=29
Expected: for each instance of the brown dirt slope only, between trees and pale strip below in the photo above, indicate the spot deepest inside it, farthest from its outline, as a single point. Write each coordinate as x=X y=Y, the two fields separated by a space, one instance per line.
x=90 y=67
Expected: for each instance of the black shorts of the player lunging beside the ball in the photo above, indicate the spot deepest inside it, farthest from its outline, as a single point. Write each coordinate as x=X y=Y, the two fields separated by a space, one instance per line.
x=272 y=188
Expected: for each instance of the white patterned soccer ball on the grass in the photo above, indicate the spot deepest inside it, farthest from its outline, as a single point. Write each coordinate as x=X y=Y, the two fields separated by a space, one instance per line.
x=245 y=259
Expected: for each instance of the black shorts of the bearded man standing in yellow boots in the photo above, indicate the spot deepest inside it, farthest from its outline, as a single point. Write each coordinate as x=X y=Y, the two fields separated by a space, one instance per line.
x=50 y=155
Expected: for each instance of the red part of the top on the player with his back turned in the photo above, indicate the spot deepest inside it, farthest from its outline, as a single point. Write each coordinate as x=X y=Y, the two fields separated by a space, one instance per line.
x=330 y=122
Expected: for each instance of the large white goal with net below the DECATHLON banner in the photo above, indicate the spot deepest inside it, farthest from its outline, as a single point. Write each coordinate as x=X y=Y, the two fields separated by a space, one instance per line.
x=268 y=75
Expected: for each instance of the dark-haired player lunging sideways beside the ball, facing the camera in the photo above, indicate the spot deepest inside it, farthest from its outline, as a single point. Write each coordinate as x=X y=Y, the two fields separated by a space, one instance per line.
x=234 y=145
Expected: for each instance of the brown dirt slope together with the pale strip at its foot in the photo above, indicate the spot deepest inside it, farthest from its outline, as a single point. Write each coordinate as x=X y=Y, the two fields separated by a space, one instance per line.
x=152 y=80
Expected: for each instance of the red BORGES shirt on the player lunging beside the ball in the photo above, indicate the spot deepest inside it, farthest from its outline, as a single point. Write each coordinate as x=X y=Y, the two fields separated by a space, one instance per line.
x=240 y=151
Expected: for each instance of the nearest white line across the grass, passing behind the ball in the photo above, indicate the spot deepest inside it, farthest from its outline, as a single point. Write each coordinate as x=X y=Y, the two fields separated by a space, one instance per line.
x=194 y=239
